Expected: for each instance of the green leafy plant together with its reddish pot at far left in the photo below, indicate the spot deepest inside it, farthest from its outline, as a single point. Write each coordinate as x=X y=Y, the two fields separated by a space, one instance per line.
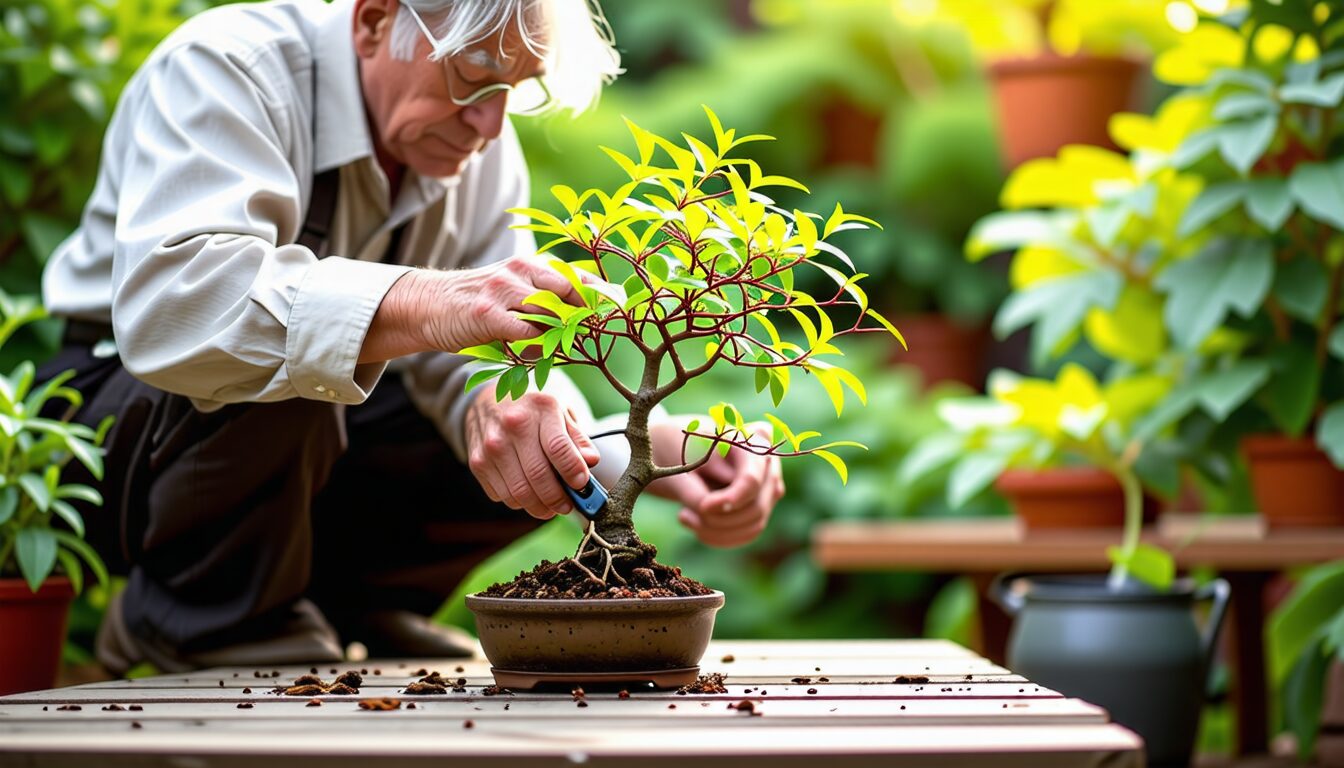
x=40 y=528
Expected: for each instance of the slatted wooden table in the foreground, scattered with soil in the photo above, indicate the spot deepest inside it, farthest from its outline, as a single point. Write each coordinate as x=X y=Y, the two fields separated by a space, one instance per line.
x=970 y=714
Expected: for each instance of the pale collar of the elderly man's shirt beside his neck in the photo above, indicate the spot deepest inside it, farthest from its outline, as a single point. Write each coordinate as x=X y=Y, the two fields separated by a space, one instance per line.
x=338 y=138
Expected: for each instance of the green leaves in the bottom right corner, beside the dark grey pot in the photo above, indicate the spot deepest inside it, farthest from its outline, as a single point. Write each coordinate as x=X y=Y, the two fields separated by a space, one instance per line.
x=1307 y=662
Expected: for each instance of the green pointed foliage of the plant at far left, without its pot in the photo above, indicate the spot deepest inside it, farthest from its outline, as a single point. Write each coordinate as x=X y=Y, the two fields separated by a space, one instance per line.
x=40 y=527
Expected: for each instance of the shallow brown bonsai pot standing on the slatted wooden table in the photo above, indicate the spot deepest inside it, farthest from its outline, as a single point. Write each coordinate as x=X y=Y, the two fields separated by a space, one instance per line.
x=533 y=642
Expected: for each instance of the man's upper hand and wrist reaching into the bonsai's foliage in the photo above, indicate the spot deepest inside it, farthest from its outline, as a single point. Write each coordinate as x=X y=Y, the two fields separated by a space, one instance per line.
x=451 y=311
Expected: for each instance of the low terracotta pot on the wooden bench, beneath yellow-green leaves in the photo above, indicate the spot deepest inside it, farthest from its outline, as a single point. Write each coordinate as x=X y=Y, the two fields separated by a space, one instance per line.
x=1065 y=498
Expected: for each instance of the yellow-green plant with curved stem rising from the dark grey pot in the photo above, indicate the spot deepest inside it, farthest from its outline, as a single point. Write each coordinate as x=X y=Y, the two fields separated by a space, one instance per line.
x=1034 y=424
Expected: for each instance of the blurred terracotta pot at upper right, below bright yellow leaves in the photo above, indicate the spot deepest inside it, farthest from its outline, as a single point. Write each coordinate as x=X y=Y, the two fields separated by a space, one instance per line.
x=1049 y=102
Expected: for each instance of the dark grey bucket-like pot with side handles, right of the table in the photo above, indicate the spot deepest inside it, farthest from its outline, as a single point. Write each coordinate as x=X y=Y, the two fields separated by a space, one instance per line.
x=1135 y=652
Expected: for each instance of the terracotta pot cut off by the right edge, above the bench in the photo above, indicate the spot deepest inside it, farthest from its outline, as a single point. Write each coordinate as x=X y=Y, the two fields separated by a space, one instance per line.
x=1295 y=482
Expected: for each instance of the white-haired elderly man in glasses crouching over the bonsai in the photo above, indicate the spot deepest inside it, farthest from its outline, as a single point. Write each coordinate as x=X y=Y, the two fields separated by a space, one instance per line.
x=294 y=194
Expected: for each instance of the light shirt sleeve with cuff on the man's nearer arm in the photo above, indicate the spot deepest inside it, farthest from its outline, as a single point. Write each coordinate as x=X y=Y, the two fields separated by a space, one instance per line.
x=212 y=298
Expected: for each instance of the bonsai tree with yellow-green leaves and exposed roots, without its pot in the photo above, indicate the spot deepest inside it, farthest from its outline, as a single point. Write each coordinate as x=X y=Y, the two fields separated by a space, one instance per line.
x=691 y=266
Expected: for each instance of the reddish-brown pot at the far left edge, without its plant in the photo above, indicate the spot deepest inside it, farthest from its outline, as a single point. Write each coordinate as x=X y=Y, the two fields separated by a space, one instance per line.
x=33 y=633
